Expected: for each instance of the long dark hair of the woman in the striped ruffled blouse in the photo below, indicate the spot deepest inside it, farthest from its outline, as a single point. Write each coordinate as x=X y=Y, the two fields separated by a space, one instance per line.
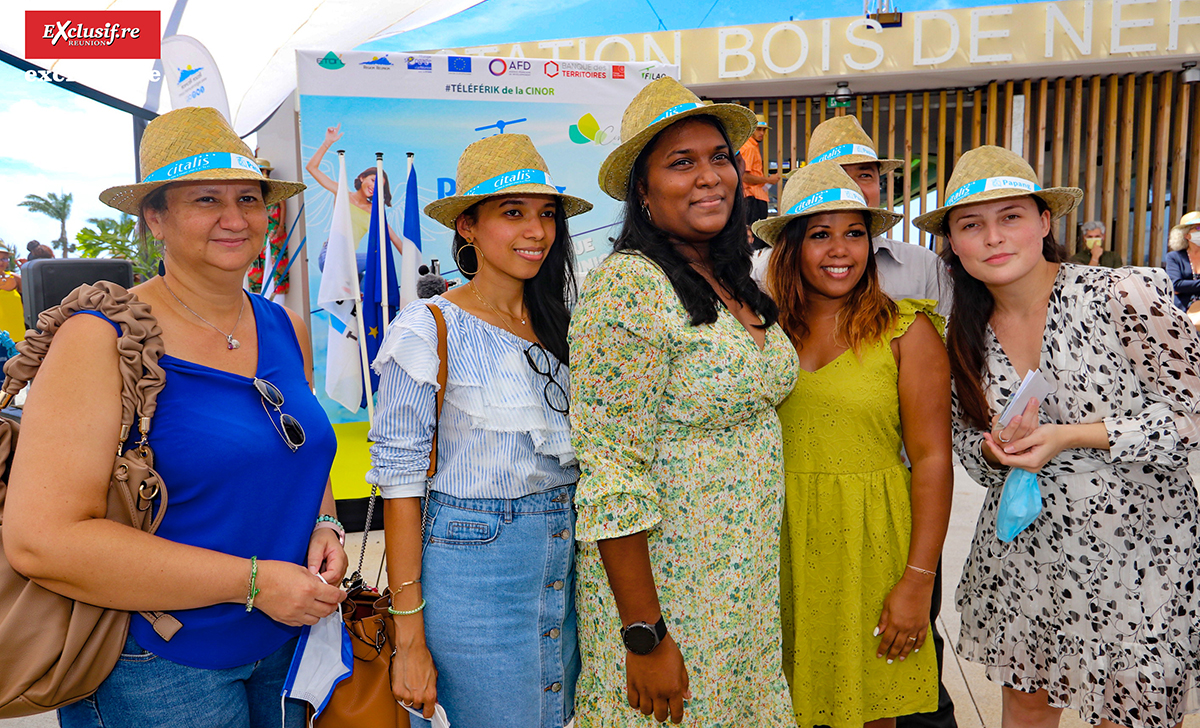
x=548 y=293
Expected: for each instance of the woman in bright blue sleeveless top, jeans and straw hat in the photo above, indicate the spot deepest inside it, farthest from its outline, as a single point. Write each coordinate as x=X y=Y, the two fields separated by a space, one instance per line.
x=243 y=446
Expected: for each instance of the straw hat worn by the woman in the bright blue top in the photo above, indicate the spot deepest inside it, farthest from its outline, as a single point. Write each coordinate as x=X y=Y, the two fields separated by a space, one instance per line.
x=191 y=145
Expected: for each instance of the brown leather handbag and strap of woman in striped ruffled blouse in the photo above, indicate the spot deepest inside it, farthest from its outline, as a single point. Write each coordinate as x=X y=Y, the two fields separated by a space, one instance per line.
x=365 y=699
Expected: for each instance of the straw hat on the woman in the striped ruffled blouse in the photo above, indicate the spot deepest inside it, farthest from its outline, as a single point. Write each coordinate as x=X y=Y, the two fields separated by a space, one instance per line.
x=500 y=165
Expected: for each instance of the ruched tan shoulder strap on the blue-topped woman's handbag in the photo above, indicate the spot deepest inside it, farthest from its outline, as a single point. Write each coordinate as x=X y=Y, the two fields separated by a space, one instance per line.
x=139 y=350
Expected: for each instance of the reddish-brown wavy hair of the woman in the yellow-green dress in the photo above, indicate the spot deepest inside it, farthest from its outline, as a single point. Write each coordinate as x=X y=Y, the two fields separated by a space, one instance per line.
x=868 y=312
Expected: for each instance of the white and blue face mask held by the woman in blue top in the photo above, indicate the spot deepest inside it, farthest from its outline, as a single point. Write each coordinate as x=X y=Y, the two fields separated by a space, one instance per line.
x=325 y=658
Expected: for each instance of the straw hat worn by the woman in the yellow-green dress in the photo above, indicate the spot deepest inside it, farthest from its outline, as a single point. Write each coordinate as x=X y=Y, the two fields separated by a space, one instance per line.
x=823 y=188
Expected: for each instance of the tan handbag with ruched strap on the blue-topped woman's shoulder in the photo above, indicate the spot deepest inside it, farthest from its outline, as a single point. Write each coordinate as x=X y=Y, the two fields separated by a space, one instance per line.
x=57 y=651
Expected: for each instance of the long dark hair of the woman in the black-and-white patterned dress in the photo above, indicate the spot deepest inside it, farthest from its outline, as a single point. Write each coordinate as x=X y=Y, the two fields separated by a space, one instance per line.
x=968 y=329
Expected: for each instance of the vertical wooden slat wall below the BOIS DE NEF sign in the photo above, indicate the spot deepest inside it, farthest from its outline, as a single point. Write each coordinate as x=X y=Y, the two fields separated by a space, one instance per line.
x=1072 y=131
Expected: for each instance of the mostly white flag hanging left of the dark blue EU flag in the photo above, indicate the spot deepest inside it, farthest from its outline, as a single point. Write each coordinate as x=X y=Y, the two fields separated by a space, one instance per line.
x=339 y=296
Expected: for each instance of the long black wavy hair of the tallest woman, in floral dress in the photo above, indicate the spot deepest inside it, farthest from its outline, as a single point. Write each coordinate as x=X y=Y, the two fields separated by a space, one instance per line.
x=728 y=251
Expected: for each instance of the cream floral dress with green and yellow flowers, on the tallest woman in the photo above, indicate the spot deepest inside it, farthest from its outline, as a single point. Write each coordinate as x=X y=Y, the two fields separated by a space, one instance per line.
x=676 y=432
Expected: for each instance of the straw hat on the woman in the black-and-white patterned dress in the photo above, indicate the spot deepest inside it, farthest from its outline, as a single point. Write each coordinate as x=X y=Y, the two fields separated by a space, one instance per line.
x=992 y=173
